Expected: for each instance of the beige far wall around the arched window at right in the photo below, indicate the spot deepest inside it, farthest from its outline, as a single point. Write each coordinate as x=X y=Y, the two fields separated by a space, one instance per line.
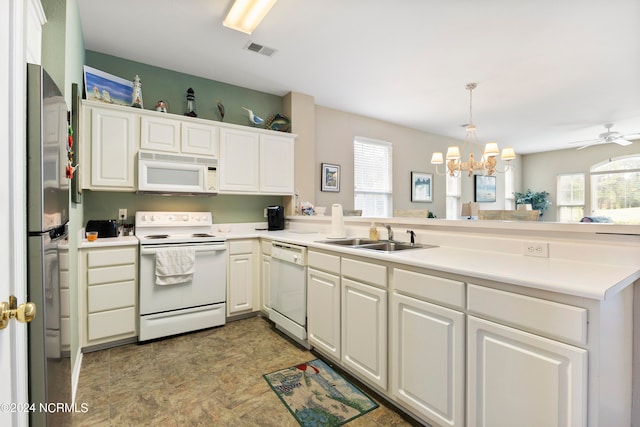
x=539 y=171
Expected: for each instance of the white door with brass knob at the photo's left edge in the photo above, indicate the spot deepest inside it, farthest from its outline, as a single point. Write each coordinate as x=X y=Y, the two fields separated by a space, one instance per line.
x=12 y=247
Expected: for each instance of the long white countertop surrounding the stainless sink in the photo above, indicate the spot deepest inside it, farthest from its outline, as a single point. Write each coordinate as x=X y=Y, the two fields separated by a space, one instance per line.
x=584 y=279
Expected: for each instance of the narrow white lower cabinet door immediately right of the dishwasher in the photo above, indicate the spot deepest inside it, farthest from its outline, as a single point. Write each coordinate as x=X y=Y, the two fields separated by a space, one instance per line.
x=323 y=311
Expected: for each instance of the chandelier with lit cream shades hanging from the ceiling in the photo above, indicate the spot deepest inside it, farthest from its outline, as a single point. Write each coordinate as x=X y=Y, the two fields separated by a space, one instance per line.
x=488 y=161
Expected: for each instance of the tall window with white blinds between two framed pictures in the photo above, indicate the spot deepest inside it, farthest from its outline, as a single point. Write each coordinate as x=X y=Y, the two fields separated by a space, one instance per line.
x=372 y=177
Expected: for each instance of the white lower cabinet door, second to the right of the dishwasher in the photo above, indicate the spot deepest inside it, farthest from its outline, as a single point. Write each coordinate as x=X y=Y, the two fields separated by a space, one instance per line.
x=364 y=330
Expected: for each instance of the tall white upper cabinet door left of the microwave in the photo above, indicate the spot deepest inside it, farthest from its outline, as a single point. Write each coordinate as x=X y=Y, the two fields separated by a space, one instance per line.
x=112 y=149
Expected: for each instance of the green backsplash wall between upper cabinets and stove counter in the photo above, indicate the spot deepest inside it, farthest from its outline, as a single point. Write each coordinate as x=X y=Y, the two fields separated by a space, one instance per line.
x=224 y=208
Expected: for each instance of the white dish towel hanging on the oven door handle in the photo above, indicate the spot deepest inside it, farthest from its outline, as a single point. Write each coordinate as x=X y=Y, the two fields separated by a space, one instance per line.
x=175 y=265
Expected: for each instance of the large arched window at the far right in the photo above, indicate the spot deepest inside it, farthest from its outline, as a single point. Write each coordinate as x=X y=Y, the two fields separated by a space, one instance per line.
x=615 y=189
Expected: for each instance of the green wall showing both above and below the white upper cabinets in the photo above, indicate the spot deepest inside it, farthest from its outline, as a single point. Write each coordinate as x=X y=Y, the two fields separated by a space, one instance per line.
x=171 y=86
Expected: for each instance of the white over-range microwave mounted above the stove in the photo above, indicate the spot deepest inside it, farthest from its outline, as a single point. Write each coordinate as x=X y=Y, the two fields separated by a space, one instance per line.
x=171 y=174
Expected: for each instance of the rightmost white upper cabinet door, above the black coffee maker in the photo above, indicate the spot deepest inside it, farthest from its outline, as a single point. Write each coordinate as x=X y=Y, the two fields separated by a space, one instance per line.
x=276 y=164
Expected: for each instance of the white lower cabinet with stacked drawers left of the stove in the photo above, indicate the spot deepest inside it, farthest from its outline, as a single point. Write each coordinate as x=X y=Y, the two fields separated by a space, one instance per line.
x=108 y=277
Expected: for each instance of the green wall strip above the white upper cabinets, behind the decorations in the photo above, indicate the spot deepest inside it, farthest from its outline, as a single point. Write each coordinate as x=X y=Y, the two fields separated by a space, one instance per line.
x=171 y=86
